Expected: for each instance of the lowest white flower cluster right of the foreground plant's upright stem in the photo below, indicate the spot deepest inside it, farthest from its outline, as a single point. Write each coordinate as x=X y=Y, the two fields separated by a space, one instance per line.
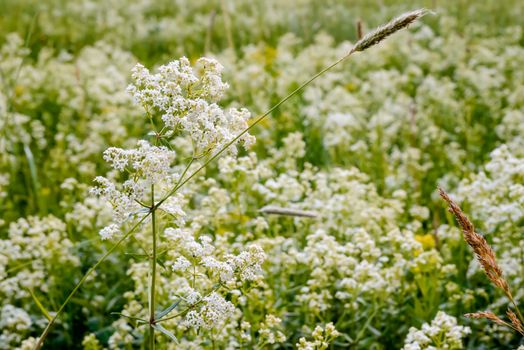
x=209 y=276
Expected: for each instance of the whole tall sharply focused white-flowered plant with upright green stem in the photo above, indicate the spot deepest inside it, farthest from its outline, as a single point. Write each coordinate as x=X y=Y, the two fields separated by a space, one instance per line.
x=144 y=180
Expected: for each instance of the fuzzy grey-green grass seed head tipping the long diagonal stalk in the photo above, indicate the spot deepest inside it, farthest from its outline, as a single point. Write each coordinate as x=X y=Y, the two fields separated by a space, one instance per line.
x=382 y=32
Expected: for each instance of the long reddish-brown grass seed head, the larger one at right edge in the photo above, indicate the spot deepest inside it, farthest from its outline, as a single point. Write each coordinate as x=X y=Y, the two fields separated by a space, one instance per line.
x=480 y=246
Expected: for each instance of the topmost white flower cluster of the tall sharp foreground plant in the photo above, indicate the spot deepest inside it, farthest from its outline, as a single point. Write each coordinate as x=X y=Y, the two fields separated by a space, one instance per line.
x=186 y=99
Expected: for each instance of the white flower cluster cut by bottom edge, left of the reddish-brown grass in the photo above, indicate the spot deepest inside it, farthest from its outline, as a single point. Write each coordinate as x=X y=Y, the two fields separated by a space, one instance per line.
x=442 y=333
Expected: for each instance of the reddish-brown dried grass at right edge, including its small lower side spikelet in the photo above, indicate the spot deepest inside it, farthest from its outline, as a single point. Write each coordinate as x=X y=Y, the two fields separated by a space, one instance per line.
x=487 y=260
